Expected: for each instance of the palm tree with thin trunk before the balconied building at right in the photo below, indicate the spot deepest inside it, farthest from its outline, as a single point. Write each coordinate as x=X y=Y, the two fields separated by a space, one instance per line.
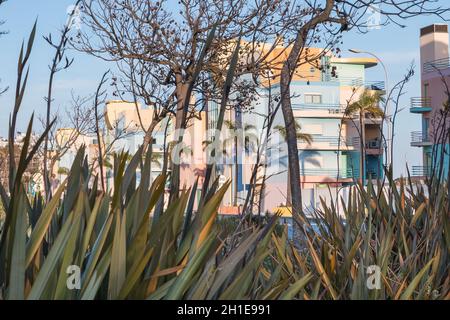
x=367 y=104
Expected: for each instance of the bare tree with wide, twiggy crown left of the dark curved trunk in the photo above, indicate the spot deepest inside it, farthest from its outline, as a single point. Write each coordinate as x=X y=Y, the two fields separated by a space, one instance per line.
x=159 y=46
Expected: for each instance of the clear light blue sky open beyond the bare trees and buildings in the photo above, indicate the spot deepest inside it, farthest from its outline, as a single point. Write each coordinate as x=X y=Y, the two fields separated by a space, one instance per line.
x=395 y=46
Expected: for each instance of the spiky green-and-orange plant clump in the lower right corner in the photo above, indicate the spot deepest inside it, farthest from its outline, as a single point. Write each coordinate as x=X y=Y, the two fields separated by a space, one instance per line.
x=405 y=242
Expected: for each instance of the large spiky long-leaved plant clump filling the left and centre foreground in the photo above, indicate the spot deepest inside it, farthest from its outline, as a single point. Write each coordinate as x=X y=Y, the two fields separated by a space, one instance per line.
x=123 y=251
